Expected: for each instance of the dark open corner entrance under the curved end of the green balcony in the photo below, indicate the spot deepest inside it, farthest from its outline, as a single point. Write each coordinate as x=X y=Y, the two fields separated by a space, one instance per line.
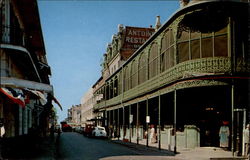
x=206 y=108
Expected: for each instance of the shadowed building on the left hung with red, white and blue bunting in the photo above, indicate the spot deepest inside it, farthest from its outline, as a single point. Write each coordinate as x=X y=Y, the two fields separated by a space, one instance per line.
x=25 y=93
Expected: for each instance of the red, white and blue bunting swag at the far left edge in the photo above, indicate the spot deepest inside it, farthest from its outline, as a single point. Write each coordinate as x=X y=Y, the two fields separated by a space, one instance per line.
x=14 y=94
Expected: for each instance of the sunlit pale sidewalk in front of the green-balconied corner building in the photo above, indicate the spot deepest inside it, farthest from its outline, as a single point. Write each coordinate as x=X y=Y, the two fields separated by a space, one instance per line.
x=200 y=153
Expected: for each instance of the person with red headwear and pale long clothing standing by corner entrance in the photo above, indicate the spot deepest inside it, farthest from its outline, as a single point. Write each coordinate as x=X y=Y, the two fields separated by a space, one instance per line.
x=224 y=135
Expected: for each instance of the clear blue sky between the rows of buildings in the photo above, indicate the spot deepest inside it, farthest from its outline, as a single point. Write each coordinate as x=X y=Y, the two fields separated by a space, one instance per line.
x=76 y=34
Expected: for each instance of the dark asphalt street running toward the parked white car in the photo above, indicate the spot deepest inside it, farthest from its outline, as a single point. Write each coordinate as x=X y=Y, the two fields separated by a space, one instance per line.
x=74 y=146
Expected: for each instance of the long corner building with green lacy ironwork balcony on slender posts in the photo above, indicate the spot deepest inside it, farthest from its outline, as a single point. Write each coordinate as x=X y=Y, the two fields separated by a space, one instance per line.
x=185 y=81
